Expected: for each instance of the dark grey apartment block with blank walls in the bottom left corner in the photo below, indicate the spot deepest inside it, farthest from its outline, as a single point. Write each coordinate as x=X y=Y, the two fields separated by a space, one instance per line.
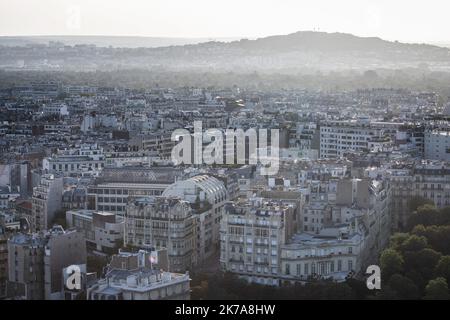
x=36 y=262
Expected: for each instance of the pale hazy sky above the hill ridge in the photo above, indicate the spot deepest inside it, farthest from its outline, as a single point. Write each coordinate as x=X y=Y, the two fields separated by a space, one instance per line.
x=405 y=20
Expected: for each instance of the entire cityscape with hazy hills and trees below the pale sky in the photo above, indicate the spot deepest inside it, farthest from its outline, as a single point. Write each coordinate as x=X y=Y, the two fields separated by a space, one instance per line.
x=304 y=165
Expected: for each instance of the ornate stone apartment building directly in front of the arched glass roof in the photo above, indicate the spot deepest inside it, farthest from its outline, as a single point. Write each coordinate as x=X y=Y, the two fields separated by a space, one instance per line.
x=160 y=222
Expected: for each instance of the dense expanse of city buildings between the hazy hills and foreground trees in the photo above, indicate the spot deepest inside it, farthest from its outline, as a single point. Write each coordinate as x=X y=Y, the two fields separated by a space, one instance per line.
x=350 y=162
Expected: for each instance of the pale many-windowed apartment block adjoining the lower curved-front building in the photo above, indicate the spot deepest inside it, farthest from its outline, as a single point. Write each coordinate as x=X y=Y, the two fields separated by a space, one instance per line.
x=252 y=234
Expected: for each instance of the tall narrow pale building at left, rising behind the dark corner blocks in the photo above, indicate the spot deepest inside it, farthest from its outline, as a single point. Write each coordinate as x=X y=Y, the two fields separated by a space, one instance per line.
x=46 y=201
